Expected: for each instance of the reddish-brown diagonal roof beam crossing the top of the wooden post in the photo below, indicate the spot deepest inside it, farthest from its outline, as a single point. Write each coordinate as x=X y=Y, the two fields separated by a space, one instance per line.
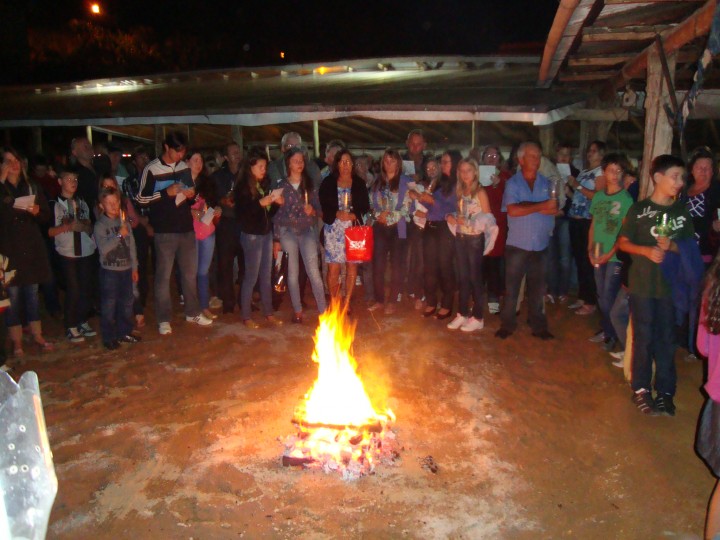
x=696 y=25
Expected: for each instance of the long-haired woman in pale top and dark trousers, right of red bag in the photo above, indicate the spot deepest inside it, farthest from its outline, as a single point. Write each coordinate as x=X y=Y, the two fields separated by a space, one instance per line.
x=390 y=229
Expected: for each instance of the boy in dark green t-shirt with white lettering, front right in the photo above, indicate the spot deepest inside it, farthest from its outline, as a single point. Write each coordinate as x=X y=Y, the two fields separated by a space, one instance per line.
x=650 y=230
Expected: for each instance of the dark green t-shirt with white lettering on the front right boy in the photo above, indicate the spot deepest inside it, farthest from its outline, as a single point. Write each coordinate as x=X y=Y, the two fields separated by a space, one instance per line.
x=640 y=224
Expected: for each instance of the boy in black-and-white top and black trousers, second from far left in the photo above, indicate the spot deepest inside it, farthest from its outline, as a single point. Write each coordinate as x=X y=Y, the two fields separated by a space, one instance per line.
x=71 y=231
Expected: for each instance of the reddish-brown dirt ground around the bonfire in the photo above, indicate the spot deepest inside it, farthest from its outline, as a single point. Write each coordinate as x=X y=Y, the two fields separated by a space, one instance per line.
x=179 y=437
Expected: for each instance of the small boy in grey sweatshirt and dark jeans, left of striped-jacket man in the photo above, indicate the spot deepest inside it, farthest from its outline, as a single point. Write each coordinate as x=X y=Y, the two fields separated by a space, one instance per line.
x=118 y=271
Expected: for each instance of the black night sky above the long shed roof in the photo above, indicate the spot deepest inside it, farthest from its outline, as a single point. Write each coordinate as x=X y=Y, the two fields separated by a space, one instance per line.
x=195 y=34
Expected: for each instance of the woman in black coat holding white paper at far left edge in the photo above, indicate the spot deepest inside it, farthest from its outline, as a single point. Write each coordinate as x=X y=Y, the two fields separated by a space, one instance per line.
x=22 y=243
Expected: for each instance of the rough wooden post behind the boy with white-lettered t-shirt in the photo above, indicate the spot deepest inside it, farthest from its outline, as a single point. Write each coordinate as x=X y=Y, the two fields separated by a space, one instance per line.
x=658 y=130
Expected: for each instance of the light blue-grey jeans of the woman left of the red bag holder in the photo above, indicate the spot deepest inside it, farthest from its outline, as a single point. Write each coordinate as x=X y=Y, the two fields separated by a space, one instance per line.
x=306 y=245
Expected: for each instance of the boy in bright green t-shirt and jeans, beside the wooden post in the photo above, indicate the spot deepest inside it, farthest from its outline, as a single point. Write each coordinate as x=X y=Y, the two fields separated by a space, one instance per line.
x=608 y=209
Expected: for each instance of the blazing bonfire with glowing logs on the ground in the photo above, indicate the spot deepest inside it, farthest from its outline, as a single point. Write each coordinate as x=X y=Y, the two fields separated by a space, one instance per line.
x=339 y=427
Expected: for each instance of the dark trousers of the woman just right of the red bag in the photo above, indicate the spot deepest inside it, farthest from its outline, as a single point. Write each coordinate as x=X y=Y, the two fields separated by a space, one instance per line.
x=387 y=242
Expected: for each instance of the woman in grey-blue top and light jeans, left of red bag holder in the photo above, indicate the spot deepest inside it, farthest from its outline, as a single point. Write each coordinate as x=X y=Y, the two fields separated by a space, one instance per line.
x=294 y=225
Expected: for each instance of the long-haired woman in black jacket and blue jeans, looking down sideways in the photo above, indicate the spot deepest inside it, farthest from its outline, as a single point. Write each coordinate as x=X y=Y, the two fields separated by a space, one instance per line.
x=255 y=206
